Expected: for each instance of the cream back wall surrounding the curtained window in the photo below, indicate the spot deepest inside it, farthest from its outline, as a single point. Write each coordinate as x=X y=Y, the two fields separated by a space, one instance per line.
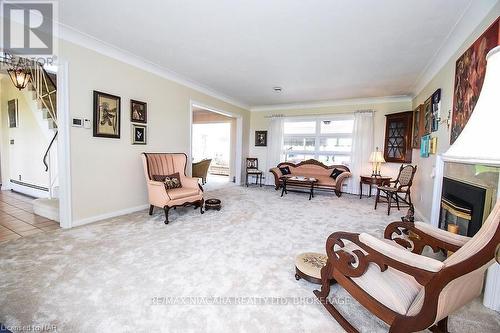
x=259 y=122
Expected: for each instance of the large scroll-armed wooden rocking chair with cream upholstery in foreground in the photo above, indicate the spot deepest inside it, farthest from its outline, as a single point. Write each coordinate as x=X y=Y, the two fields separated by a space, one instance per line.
x=406 y=290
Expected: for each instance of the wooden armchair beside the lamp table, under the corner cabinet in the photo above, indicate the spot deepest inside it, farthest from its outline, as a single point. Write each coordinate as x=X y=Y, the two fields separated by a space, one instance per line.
x=401 y=185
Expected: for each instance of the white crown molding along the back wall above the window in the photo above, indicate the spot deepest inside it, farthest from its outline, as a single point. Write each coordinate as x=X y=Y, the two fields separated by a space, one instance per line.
x=351 y=101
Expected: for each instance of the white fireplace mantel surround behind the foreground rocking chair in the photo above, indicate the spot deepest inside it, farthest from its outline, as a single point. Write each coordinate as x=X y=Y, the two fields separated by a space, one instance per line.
x=492 y=286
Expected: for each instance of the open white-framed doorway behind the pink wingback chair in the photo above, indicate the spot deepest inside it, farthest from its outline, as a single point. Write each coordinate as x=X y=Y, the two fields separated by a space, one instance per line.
x=214 y=147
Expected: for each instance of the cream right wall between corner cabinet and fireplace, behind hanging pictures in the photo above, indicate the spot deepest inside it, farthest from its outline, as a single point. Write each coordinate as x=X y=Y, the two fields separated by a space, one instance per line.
x=444 y=79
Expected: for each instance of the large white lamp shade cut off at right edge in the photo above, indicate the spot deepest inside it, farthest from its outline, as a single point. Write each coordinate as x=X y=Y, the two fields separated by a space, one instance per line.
x=478 y=141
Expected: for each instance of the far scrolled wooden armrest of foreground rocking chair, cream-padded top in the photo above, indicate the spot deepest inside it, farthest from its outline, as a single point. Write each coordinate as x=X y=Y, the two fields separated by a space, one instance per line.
x=415 y=236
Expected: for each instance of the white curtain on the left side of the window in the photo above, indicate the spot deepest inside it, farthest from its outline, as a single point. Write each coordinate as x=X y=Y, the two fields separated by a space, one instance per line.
x=274 y=147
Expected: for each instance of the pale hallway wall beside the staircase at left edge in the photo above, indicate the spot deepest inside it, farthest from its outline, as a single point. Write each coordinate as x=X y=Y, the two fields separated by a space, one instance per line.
x=23 y=159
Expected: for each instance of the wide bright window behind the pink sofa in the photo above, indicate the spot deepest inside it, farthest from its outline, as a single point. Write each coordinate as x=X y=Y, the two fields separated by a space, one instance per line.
x=328 y=140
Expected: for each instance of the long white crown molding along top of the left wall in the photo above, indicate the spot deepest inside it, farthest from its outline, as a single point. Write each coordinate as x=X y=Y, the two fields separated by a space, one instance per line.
x=90 y=42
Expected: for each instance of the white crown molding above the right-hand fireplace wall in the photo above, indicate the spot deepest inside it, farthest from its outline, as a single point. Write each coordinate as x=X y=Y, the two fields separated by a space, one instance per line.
x=472 y=16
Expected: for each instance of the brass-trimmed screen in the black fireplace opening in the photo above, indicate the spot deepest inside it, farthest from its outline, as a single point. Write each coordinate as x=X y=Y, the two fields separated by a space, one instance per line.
x=455 y=215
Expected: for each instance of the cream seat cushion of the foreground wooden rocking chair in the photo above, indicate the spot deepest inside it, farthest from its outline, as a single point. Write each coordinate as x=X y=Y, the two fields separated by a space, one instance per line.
x=394 y=289
